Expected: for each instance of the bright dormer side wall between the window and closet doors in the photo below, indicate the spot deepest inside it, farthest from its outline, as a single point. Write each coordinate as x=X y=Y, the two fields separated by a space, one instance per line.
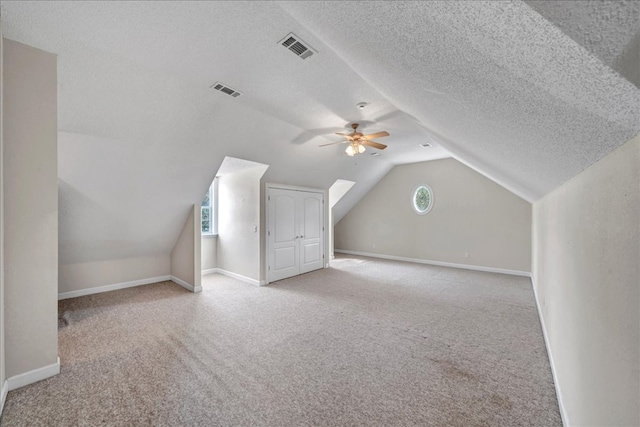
x=239 y=226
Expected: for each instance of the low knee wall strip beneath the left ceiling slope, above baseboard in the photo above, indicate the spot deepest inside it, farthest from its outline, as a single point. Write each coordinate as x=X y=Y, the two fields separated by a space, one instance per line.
x=86 y=275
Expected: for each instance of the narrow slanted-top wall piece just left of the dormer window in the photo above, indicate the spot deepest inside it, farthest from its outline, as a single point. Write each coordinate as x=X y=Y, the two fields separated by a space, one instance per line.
x=186 y=254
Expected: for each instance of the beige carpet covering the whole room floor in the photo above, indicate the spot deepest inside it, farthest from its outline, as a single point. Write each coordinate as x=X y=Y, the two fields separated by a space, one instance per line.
x=364 y=343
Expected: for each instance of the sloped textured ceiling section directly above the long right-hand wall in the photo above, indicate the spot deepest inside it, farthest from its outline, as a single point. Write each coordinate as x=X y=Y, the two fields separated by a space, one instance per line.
x=506 y=91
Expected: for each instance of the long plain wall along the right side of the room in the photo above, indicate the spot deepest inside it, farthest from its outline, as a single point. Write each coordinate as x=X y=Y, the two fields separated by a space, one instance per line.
x=586 y=258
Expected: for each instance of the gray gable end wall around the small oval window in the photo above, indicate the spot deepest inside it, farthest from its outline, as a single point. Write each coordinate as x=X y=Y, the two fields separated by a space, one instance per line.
x=471 y=214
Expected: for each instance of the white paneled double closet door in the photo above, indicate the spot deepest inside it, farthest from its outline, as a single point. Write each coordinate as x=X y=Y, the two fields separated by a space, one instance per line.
x=295 y=232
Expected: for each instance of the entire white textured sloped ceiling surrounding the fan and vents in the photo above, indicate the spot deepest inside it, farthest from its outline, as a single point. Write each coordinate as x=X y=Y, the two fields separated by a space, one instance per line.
x=506 y=89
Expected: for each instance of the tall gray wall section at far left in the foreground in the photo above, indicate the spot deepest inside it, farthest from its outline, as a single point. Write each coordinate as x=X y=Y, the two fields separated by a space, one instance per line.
x=30 y=208
